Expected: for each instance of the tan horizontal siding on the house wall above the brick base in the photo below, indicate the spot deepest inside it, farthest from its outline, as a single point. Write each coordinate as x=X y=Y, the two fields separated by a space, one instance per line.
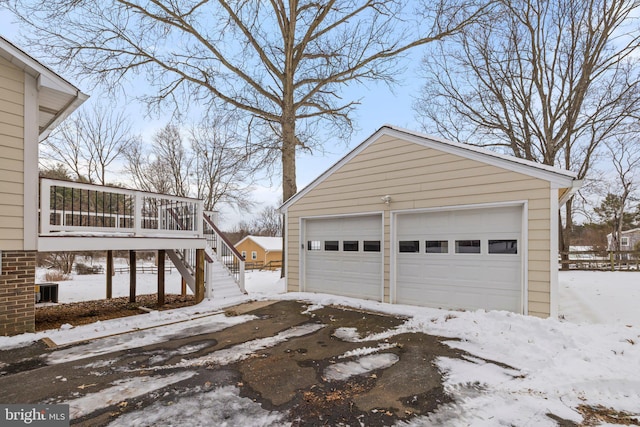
x=11 y=157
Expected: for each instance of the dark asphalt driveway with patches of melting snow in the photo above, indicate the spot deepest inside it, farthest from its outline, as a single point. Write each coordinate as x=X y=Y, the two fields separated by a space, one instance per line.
x=324 y=366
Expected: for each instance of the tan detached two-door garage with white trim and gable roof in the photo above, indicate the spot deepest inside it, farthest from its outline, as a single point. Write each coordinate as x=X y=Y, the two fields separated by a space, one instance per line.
x=410 y=219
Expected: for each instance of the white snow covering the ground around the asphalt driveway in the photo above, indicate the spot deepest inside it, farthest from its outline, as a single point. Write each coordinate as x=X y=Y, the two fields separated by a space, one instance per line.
x=590 y=357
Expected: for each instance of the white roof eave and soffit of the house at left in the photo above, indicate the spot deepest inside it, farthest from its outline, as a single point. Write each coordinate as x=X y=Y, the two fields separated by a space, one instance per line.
x=57 y=98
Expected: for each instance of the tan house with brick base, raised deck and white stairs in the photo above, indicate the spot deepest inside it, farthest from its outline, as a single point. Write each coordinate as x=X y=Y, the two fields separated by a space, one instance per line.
x=45 y=215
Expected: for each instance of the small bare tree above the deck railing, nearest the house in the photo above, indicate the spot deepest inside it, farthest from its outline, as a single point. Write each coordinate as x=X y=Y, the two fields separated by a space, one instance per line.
x=90 y=142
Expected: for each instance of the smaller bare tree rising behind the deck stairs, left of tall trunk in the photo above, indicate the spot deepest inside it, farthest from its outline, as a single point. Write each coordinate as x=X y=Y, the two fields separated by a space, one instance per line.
x=222 y=167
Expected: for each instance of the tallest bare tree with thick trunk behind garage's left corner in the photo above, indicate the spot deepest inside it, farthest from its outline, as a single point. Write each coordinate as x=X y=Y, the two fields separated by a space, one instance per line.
x=282 y=63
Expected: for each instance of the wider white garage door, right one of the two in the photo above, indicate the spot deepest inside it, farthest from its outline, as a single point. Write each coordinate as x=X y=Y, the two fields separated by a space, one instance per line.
x=461 y=259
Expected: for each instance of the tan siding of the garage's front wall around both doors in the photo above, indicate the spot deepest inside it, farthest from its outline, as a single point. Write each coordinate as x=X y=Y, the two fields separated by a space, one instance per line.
x=417 y=177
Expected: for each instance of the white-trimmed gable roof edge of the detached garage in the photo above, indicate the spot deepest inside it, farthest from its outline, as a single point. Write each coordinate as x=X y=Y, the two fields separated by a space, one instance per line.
x=559 y=178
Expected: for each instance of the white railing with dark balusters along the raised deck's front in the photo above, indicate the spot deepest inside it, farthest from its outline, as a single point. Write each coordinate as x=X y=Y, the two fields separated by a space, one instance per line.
x=74 y=207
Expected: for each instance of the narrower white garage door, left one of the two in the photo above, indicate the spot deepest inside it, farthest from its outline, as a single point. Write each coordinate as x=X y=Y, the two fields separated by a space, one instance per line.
x=343 y=256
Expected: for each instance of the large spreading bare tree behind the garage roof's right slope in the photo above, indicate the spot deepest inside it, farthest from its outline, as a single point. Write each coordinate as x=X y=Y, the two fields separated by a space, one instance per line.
x=546 y=80
